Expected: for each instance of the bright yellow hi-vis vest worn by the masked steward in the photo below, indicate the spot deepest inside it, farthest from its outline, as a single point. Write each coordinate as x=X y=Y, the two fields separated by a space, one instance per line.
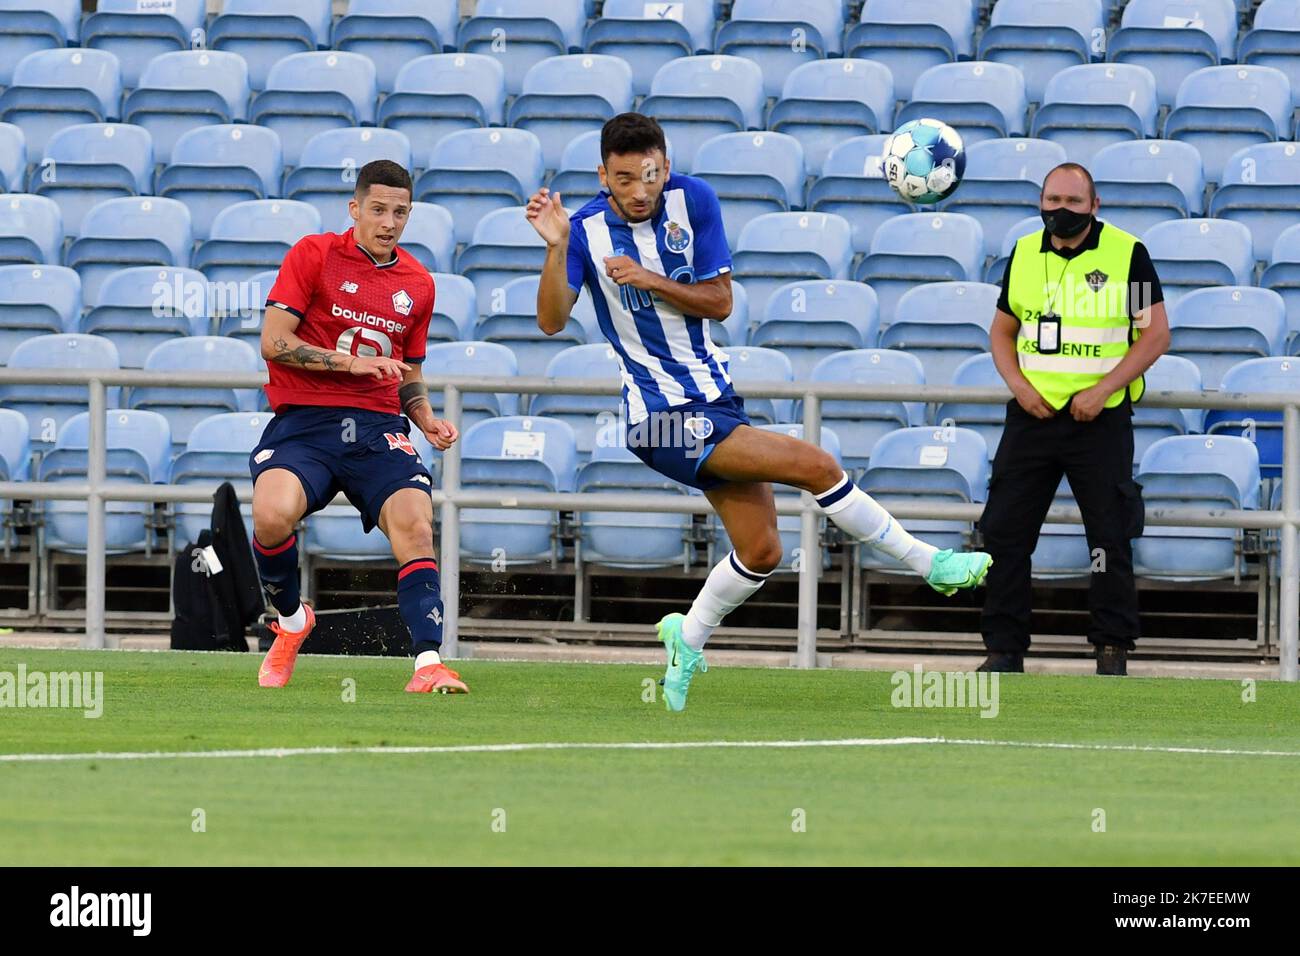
x=1091 y=296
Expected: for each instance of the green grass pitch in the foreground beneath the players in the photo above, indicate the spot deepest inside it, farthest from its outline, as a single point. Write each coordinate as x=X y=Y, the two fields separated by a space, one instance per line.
x=898 y=806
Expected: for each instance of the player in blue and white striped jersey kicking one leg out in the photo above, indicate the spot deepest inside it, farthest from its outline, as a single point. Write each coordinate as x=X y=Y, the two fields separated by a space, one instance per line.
x=652 y=252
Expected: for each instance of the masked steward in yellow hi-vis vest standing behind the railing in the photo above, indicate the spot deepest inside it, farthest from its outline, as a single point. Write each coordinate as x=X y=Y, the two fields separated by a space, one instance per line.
x=1080 y=319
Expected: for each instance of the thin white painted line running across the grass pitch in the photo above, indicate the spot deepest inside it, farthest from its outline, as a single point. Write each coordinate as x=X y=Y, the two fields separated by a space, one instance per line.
x=622 y=746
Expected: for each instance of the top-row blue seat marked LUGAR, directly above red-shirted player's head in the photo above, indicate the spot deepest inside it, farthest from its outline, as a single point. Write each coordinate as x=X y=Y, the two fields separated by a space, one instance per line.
x=393 y=33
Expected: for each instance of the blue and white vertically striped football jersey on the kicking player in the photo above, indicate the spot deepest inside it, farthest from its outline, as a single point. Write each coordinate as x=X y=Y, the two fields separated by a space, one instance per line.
x=668 y=358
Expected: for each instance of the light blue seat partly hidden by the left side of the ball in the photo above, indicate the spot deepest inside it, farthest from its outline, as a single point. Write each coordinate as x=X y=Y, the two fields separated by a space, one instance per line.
x=853 y=187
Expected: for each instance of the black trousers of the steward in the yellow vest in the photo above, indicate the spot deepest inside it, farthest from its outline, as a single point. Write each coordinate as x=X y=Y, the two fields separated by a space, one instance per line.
x=1032 y=458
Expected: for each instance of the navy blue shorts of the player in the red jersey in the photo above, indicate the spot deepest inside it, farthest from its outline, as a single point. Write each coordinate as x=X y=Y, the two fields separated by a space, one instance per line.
x=366 y=455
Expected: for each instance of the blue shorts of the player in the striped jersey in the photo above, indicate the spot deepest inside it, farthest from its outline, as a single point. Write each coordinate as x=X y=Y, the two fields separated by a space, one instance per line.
x=678 y=442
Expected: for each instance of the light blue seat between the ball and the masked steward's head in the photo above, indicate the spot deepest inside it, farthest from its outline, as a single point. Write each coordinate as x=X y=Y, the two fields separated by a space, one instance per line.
x=1003 y=184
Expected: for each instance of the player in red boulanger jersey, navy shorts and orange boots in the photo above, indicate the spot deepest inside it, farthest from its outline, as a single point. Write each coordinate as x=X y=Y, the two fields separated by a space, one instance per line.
x=344 y=339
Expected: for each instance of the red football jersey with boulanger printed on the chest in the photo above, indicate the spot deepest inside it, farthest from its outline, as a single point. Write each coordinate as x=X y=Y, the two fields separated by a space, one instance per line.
x=350 y=304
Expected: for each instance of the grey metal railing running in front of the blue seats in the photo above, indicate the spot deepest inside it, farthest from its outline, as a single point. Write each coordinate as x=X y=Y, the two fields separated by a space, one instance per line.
x=452 y=498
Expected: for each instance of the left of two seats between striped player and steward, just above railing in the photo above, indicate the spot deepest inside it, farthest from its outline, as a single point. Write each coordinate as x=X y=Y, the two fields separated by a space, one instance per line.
x=817 y=318
